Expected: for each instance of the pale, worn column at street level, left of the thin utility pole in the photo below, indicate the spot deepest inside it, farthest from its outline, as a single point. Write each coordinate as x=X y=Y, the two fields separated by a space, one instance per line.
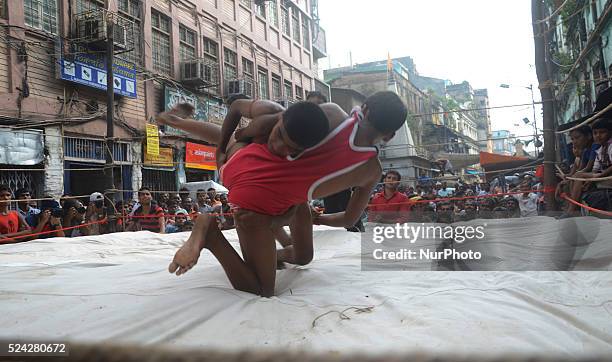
x=54 y=162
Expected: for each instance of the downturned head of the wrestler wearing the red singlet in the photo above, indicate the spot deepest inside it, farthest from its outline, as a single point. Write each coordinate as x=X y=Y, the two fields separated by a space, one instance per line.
x=385 y=113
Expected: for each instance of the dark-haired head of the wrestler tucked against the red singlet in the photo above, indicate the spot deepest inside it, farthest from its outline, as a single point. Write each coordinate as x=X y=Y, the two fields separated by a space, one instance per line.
x=301 y=126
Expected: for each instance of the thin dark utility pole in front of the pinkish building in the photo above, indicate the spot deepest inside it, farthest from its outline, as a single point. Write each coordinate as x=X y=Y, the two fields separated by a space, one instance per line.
x=110 y=111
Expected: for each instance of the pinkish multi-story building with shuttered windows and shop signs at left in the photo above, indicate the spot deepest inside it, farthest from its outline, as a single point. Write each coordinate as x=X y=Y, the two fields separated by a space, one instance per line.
x=53 y=82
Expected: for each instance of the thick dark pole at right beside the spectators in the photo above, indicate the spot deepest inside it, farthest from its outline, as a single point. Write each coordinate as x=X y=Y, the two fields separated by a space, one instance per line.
x=540 y=29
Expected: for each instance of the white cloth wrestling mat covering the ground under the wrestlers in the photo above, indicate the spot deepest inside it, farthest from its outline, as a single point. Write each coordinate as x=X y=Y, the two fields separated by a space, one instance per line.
x=116 y=288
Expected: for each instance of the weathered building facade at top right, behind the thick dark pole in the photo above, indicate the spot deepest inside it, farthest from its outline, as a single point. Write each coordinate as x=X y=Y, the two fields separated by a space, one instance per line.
x=579 y=55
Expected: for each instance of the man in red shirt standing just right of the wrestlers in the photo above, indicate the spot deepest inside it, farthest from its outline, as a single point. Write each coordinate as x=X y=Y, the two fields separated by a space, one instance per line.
x=389 y=206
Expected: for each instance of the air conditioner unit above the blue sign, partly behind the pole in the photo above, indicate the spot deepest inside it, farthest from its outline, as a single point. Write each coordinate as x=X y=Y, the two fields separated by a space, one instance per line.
x=92 y=30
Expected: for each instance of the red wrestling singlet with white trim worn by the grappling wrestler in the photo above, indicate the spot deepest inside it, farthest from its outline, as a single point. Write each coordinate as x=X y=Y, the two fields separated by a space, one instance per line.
x=268 y=184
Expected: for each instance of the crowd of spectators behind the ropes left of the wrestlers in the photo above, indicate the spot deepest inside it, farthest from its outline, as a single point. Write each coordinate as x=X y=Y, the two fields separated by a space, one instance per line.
x=25 y=219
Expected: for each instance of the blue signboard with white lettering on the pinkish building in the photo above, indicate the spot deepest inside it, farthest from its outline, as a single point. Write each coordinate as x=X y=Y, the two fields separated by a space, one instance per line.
x=90 y=70
